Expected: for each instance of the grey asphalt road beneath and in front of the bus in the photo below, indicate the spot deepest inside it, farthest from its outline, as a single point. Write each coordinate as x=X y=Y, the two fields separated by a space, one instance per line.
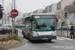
x=60 y=43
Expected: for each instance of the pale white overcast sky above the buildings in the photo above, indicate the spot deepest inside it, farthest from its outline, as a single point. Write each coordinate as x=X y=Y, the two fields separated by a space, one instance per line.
x=29 y=5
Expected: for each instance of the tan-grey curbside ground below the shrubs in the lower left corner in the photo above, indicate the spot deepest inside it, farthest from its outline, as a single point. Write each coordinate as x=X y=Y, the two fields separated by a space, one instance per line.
x=12 y=45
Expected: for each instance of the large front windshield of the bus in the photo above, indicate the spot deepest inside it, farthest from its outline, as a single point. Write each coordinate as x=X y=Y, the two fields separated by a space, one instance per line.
x=43 y=24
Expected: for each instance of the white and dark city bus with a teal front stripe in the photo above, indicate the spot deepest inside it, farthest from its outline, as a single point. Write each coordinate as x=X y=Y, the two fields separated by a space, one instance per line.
x=40 y=27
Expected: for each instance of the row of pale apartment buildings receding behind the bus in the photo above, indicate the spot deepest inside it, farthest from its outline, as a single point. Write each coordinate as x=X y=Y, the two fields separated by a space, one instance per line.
x=58 y=9
